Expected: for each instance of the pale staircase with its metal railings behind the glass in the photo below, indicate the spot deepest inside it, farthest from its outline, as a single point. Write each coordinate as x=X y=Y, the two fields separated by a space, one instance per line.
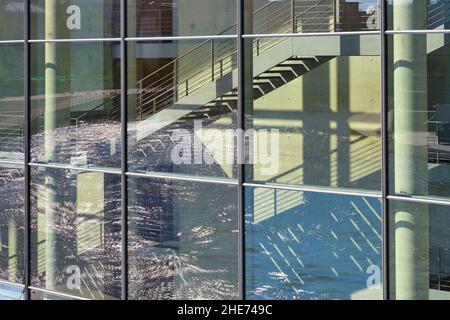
x=211 y=67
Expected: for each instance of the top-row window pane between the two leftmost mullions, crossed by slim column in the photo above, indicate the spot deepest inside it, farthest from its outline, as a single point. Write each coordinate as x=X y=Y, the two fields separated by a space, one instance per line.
x=80 y=19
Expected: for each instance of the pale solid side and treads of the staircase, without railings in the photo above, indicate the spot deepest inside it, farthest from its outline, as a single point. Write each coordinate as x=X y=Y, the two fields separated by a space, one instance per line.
x=284 y=62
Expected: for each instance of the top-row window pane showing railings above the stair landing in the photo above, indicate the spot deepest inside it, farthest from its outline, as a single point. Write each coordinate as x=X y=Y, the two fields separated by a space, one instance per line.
x=298 y=16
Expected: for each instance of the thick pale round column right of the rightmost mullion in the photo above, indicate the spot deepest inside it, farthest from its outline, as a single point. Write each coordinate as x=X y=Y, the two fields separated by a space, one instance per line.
x=410 y=112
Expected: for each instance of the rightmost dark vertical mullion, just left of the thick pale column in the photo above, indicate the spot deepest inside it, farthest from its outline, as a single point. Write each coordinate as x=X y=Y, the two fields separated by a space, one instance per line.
x=384 y=137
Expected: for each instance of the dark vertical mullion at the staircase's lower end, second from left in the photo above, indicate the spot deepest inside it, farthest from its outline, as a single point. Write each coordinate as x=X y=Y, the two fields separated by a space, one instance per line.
x=124 y=149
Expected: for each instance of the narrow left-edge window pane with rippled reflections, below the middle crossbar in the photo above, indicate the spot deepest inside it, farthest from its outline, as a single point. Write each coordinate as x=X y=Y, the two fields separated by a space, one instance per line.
x=12 y=223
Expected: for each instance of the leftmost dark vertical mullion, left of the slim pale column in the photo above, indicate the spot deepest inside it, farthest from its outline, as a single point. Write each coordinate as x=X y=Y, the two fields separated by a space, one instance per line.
x=27 y=150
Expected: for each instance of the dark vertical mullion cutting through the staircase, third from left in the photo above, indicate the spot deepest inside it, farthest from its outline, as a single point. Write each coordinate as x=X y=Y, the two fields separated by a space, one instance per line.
x=240 y=149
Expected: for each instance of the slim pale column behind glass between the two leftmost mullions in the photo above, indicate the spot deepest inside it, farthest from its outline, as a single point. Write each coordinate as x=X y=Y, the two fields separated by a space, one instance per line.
x=50 y=126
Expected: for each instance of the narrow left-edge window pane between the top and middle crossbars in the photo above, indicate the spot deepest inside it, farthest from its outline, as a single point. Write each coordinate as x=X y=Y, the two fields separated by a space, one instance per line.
x=11 y=102
